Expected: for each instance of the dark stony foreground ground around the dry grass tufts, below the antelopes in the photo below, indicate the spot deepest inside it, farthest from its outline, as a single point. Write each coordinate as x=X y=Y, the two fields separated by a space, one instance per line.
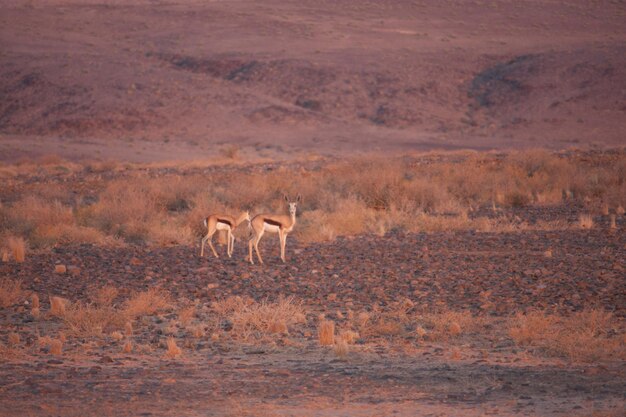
x=490 y=274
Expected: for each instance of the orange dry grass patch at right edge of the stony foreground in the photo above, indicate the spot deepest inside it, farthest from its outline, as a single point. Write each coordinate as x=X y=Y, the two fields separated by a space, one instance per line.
x=587 y=336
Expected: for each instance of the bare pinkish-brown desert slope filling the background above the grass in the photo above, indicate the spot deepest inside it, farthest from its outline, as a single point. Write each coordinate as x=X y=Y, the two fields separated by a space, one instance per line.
x=321 y=75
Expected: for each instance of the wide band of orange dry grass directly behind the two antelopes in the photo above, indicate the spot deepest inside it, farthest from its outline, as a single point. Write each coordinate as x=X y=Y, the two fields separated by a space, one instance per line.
x=361 y=195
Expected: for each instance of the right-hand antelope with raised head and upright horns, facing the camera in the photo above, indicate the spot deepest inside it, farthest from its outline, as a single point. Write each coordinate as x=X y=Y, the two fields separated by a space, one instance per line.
x=274 y=223
